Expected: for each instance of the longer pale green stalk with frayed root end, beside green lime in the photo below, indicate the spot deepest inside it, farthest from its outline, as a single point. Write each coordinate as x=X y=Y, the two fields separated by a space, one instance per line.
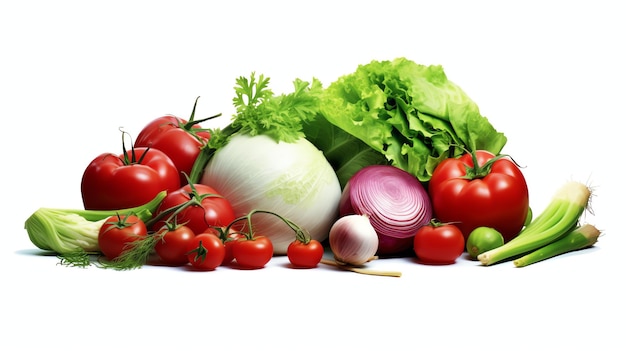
x=559 y=217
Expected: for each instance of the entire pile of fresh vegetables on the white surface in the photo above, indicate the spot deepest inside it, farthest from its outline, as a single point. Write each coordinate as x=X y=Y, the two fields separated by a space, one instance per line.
x=393 y=160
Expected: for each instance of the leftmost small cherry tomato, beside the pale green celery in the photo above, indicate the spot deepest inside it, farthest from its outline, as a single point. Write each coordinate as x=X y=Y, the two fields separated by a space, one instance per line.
x=117 y=232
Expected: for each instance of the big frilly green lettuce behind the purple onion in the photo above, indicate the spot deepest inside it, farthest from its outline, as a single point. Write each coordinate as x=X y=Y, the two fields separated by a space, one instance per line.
x=409 y=113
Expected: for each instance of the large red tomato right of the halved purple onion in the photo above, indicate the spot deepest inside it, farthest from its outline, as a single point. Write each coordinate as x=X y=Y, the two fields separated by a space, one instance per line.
x=472 y=197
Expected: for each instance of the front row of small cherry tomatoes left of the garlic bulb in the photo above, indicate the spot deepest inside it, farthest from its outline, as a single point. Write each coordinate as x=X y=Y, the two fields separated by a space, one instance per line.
x=174 y=244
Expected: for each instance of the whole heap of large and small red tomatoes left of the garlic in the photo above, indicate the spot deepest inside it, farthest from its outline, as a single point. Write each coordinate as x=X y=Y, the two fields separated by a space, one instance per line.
x=193 y=225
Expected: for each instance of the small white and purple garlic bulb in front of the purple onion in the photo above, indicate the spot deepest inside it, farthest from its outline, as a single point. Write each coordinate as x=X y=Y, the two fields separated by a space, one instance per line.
x=353 y=239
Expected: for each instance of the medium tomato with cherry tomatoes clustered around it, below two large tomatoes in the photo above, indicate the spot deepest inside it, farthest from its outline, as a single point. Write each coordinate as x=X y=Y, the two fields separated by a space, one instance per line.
x=186 y=229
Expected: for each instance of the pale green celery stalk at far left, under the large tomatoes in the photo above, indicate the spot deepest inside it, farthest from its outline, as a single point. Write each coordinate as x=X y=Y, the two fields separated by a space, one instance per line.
x=67 y=231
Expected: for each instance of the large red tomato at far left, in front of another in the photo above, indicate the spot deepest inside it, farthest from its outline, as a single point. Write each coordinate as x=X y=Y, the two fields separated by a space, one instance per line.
x=109 y=183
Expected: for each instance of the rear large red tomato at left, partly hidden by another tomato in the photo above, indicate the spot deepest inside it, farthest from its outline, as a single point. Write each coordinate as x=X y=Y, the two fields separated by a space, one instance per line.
x=180 y=142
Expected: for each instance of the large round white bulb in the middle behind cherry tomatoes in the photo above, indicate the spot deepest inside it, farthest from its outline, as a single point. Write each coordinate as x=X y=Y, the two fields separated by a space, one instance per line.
x=293 y=180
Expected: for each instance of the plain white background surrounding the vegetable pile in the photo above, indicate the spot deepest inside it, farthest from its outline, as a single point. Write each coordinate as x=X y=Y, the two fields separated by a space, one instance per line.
x=549 y=74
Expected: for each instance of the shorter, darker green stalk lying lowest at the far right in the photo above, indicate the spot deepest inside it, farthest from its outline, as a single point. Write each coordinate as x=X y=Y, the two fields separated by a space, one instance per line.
x=577 y=239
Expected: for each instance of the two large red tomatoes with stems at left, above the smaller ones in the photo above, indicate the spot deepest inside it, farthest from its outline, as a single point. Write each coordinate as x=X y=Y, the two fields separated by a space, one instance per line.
x=160 y=159
